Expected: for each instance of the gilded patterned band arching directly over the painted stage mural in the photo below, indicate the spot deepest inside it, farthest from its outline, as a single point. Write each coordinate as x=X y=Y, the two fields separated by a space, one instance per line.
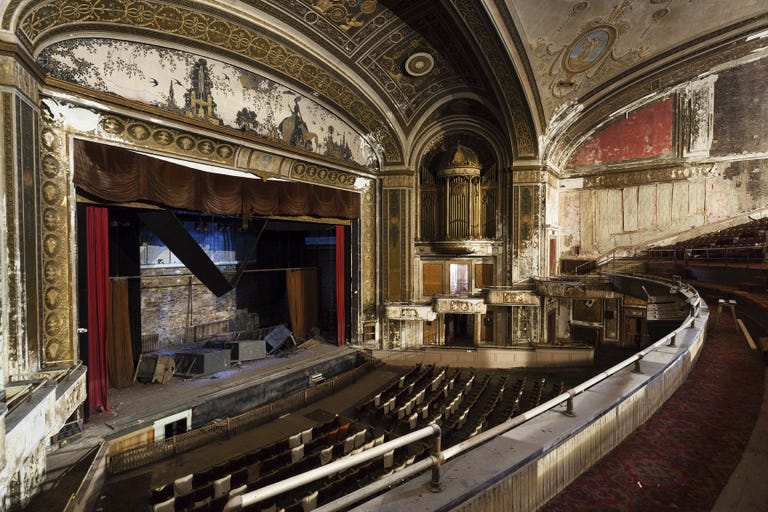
x=185 y=21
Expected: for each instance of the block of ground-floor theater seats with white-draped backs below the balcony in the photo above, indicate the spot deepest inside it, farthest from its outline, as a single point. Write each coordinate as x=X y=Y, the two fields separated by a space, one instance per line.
x=462 y=401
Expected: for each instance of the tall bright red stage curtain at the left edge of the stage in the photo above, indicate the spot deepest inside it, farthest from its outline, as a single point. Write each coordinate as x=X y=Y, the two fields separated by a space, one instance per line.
x=97 y=254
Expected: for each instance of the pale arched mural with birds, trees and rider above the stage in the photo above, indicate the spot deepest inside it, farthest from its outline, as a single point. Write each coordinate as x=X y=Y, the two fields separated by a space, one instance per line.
x=206 y=90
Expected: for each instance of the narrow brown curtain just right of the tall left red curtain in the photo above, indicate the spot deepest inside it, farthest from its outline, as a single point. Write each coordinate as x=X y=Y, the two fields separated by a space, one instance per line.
x=120 y=352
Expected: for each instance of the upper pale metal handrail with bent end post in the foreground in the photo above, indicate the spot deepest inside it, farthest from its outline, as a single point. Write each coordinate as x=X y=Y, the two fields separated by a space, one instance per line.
x=258 y=495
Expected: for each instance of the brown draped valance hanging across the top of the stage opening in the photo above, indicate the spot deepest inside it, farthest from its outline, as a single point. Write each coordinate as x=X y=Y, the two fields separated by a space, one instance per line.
x=118 y=175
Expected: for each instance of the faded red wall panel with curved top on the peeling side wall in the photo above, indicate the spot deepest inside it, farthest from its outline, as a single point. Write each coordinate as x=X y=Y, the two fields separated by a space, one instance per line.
x=644 y=133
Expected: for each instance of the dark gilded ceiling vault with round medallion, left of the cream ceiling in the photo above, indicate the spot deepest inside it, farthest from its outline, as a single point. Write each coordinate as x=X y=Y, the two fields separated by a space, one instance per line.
x=383 y=65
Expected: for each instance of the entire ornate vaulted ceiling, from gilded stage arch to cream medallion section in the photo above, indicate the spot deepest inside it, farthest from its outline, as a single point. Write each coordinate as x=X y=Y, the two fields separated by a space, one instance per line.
x=401 y=71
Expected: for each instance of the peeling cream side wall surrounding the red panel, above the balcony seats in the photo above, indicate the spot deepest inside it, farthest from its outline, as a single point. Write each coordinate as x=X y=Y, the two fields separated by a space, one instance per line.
x=719 y=170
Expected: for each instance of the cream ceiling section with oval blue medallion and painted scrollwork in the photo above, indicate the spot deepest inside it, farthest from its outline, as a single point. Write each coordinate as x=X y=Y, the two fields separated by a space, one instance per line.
x=580 y=46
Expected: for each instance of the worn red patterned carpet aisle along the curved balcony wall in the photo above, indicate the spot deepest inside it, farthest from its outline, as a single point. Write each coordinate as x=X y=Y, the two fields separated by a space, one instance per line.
x=682 y=457
